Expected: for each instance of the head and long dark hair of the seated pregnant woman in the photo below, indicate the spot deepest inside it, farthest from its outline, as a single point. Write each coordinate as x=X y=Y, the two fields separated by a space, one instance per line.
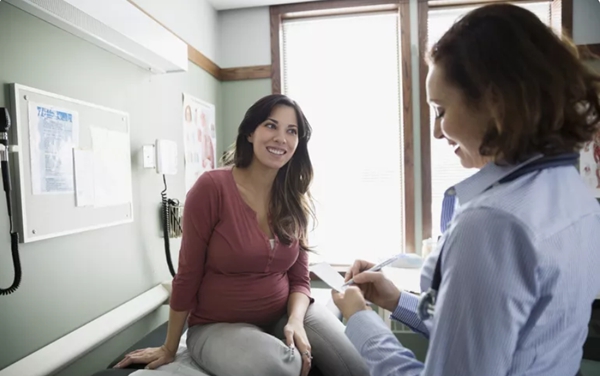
x=275 y=133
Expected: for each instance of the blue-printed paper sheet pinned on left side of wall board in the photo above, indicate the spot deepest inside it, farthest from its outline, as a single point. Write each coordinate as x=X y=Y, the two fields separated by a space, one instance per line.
x=53 y=133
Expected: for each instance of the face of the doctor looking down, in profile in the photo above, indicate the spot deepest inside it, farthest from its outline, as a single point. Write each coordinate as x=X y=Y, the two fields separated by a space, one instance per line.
x=461 y=124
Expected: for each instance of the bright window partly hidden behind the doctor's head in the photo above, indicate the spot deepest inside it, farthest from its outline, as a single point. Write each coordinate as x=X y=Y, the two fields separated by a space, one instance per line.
x=446 y=169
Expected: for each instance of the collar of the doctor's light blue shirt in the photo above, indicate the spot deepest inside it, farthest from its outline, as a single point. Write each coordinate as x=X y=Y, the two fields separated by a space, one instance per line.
x=489 y=175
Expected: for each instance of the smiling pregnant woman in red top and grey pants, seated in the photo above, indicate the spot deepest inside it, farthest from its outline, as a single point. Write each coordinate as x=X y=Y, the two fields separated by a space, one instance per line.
x=243 y=280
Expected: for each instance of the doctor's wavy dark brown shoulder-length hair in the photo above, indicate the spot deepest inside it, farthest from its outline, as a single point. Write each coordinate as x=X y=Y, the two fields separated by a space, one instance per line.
x=541 y=96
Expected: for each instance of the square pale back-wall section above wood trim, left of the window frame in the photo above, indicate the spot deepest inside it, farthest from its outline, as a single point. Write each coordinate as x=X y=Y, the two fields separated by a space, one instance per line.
x=244 y=37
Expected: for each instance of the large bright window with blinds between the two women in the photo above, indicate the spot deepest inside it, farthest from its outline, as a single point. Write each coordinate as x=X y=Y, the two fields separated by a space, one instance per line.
x=344 y=71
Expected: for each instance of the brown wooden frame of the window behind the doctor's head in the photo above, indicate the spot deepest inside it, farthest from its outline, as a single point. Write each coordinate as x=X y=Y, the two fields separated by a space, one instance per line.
x=561 y=19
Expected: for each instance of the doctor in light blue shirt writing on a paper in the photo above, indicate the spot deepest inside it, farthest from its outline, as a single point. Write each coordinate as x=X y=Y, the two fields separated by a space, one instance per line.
x=510 y=285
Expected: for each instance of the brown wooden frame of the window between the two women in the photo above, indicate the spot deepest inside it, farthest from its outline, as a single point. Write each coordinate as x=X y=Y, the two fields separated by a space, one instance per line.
x=279 y=13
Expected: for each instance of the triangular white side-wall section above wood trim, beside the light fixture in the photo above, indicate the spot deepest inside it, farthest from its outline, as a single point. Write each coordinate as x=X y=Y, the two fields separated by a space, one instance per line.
x=194 y=21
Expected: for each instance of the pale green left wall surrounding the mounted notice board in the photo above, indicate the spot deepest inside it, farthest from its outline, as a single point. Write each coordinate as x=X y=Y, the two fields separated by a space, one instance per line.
x=71 y=280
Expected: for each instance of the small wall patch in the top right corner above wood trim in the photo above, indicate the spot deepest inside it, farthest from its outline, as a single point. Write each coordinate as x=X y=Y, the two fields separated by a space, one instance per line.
x=586 y=21
